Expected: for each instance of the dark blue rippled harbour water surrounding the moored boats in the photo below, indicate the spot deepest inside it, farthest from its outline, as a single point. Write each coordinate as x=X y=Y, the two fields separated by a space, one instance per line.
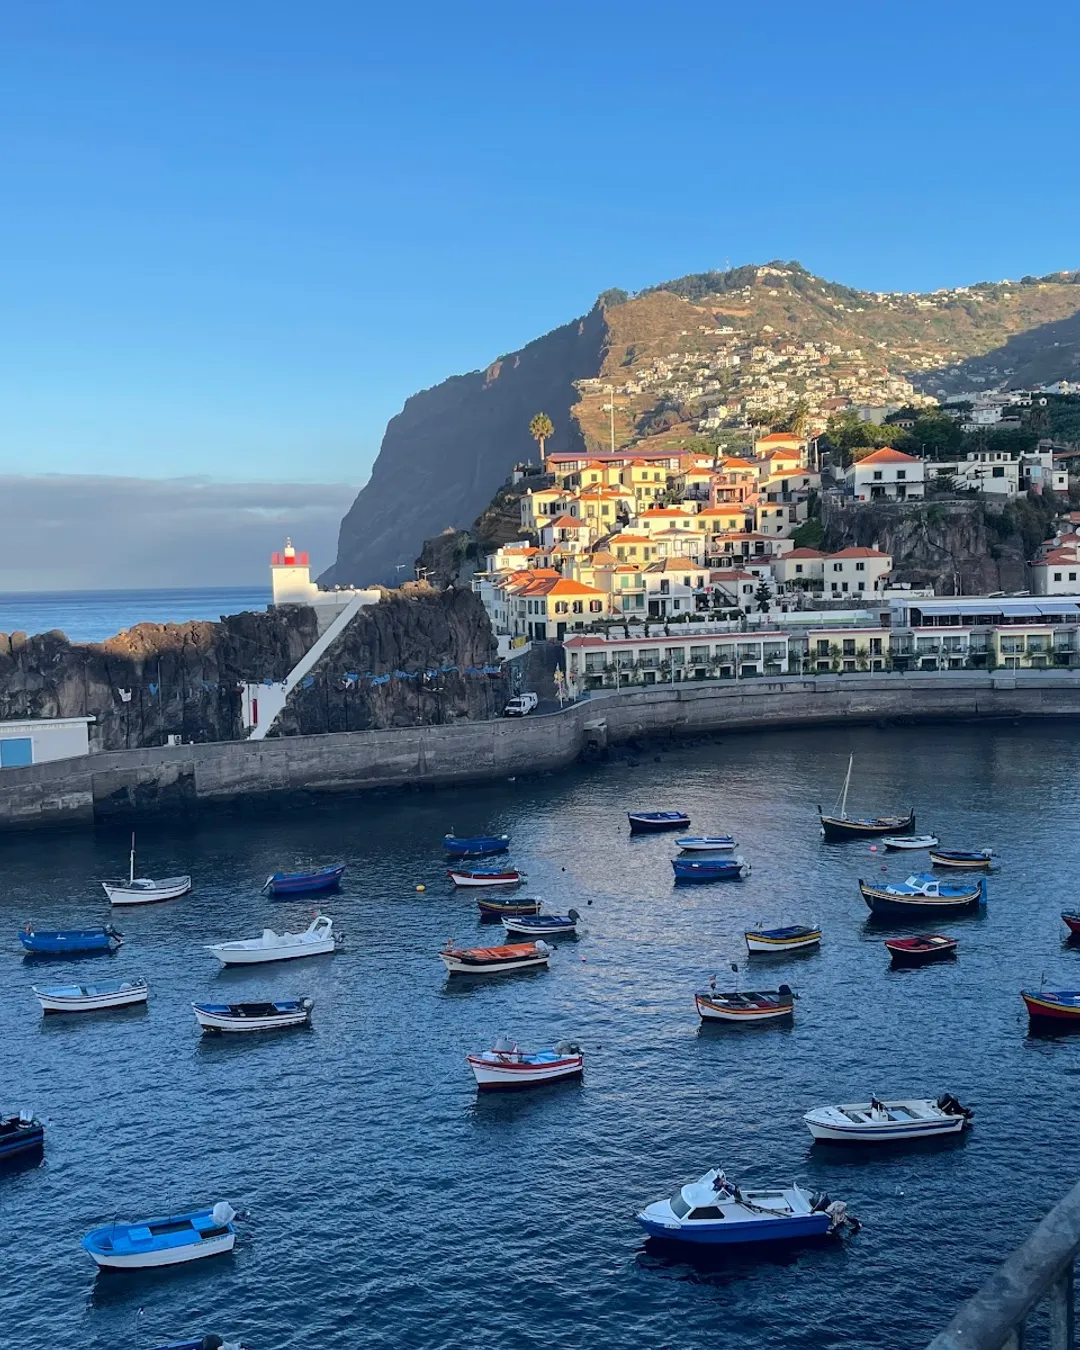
x=389 y=1206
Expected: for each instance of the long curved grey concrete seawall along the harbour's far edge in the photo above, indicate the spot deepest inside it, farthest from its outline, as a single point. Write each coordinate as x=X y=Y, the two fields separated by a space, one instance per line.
x=182 y=782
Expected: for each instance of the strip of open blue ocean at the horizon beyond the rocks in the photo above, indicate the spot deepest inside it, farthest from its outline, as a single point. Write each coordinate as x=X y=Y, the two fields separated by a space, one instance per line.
x=94 y=616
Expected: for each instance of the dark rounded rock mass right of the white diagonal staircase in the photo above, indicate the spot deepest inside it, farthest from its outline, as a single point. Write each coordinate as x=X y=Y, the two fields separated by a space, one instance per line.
x=434 y=646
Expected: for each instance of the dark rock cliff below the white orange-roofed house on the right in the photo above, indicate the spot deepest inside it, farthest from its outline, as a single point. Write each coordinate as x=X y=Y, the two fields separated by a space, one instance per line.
x=971 y=549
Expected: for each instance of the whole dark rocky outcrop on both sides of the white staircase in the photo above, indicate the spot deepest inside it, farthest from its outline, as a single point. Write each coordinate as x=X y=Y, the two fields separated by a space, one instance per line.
x=186 y=680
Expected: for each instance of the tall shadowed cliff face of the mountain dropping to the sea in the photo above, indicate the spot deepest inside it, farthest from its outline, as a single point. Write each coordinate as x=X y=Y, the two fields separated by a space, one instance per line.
x=450 y=448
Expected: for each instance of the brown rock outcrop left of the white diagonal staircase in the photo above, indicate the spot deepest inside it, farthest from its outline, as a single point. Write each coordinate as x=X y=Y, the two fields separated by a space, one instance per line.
x=156 y=680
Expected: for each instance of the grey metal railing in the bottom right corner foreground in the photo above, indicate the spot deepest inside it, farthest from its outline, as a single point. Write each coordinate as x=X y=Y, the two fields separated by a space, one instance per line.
x=1043 y=1270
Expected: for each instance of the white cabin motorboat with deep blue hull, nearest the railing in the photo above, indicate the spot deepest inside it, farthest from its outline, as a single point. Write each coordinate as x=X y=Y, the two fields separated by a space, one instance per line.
x=715 y=1213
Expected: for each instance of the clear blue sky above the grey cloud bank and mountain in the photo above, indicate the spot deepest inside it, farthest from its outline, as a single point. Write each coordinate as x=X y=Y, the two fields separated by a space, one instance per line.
x=236 y=237
